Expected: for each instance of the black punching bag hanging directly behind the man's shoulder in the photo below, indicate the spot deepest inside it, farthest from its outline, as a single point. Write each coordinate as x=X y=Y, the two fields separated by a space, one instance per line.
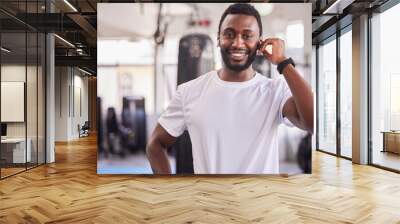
x=195 y=58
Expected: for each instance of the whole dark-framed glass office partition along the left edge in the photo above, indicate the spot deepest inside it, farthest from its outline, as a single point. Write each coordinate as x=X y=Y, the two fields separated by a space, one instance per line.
x=22 y=92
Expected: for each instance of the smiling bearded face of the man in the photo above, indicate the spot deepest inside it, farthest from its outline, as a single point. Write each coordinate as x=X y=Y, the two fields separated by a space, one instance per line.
x=239 y=39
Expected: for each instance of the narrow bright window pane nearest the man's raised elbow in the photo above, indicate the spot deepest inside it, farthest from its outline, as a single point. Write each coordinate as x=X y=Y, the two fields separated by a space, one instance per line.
x=327 y=97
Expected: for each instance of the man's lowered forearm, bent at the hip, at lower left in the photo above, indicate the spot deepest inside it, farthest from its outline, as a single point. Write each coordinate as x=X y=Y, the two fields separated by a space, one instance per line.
x=158 y=158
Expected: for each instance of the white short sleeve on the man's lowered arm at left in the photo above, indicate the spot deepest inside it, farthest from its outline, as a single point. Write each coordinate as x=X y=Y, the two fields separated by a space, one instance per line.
x=173 y=119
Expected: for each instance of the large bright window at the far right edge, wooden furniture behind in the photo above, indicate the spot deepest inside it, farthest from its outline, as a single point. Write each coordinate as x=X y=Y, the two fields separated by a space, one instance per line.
x=385 y=84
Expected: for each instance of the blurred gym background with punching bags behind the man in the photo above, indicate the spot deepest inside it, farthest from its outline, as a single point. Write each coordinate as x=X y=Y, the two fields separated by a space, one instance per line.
x=143 y=53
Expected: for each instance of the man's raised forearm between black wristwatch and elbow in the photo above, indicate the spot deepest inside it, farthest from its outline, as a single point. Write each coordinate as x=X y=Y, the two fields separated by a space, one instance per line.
x=302 y=95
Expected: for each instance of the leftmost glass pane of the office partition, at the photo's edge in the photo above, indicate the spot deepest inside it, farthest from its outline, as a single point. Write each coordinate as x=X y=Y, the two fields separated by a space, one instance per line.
x=14 y=149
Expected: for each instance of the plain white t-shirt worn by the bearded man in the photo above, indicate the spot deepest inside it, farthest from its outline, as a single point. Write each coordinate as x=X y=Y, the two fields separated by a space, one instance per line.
x=232 y=125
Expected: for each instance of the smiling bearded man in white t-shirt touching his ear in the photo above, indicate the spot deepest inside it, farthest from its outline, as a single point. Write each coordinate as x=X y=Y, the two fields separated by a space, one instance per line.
x=232 y=115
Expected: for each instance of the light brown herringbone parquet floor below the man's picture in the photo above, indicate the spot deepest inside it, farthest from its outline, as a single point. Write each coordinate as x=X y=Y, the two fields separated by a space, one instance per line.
x=70 y=191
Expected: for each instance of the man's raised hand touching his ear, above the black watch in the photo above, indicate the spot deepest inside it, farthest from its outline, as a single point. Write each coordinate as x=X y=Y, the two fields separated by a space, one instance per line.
x=278 y=50
